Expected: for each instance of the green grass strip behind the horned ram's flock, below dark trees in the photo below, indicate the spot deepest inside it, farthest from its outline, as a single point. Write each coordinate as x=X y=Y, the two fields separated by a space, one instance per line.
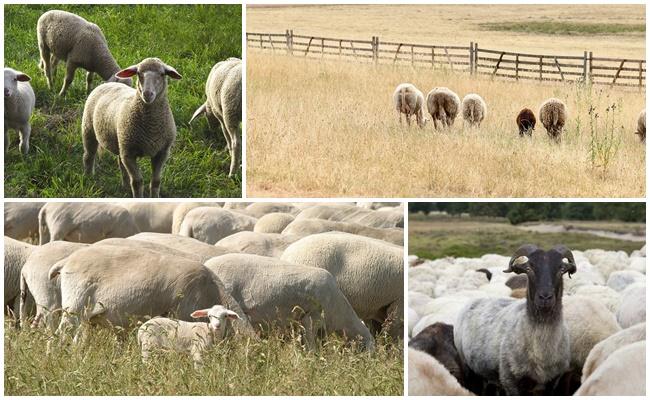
x=437 y=237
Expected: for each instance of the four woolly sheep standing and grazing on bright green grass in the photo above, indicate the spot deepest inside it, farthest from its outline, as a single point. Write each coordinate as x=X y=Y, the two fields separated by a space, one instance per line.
x=130 y=123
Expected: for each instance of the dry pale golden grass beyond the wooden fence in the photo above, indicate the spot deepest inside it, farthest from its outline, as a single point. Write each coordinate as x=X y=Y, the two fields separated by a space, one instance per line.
x=459 y=24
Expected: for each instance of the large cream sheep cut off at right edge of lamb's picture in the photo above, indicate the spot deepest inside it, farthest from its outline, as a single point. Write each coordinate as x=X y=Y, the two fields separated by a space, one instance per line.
x=370 y=273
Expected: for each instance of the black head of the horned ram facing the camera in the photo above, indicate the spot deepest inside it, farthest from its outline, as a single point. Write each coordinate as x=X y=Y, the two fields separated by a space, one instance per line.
x=545 y=270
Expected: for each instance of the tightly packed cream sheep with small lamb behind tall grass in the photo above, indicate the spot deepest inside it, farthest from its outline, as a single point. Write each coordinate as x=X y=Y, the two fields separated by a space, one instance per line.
x=240 y=267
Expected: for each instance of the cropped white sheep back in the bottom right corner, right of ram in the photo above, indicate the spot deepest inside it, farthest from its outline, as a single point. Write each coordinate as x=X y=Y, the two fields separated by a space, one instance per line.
x=621 y=374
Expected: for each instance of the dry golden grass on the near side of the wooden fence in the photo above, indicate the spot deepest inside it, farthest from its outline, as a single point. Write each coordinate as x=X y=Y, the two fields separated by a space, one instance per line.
x=318 y=129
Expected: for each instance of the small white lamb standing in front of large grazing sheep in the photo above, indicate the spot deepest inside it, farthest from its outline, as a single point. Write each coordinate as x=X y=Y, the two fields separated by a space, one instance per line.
x=187 y=337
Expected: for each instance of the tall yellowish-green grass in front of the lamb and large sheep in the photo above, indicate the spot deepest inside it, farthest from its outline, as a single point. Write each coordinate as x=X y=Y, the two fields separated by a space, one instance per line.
x=107 y=365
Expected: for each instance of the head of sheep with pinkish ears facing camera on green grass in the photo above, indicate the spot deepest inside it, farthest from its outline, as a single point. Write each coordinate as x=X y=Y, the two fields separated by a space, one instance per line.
x=151 y=74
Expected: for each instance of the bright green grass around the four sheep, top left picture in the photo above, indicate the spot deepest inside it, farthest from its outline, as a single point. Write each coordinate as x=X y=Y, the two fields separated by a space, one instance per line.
x=191 y=38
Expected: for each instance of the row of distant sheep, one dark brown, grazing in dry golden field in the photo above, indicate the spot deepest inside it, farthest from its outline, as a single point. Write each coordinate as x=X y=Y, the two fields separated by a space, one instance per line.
x=444 y=106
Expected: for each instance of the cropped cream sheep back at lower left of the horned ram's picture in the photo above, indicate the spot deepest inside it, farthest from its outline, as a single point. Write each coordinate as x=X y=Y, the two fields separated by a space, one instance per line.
x=427 y=377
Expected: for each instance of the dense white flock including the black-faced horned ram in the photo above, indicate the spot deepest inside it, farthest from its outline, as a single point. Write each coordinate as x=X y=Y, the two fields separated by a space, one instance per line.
x=557 y=322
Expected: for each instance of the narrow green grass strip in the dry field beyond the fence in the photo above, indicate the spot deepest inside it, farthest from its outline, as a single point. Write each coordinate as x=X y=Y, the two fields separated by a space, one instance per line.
x=564 y=28
